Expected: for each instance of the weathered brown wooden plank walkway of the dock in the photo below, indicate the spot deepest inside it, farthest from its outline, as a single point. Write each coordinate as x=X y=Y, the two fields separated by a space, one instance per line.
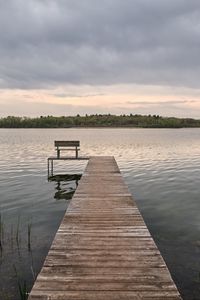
x=103 y=249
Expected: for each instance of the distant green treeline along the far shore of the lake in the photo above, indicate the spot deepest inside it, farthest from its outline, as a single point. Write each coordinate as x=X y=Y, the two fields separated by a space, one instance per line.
x=106 y=120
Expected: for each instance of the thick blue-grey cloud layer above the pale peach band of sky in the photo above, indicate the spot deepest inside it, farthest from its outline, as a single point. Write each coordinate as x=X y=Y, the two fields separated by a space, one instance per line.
x=48 y=43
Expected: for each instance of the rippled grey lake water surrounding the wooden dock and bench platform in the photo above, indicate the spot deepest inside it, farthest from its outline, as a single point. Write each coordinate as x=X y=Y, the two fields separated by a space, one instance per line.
x=160 y=166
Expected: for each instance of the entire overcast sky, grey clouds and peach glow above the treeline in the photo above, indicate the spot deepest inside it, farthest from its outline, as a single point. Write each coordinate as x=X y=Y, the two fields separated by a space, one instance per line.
x=64 y=57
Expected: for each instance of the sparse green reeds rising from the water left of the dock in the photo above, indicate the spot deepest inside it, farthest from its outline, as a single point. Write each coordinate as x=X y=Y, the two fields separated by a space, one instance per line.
x=12 y=240
